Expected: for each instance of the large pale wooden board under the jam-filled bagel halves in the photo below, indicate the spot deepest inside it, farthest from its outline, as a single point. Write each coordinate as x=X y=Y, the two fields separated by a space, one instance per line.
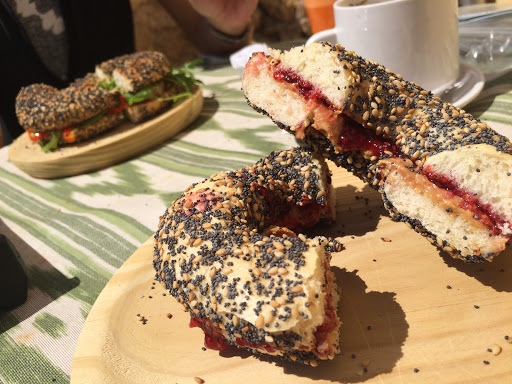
x=410 y=315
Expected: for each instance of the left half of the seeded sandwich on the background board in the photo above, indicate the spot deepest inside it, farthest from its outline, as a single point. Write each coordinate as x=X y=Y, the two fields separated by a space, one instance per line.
x=53 y=117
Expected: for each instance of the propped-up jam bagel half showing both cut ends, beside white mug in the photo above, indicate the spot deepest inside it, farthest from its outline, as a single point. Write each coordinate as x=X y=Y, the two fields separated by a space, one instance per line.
x=439 y=169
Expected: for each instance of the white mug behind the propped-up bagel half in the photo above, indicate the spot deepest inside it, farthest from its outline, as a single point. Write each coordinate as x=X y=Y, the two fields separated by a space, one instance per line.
x=417 y=39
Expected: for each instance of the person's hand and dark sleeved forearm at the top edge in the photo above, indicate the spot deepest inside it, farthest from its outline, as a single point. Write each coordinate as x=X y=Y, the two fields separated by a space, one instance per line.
x=214 y=26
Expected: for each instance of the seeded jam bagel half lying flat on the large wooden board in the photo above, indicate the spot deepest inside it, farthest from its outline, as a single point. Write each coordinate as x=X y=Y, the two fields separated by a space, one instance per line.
x=227 y=249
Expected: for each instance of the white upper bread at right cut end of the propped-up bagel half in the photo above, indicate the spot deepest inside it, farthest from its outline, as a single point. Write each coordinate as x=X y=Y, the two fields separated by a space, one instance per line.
x=482 y=171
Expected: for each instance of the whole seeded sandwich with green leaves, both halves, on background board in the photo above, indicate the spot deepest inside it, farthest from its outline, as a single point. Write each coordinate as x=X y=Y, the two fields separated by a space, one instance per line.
x=135 y=86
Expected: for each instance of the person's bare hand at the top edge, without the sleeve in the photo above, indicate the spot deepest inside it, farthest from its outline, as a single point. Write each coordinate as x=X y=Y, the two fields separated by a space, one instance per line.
x=229 y=16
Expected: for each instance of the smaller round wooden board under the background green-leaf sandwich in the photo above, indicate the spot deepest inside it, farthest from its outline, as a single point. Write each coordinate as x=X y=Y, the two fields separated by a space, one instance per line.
x=124 y=142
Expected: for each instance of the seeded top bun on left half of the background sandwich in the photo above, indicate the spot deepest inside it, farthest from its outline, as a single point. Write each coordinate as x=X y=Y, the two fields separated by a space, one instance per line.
x=41 y=107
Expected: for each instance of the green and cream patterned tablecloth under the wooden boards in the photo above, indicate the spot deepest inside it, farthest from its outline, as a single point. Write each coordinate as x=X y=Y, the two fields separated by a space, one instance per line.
x=74 y=233
